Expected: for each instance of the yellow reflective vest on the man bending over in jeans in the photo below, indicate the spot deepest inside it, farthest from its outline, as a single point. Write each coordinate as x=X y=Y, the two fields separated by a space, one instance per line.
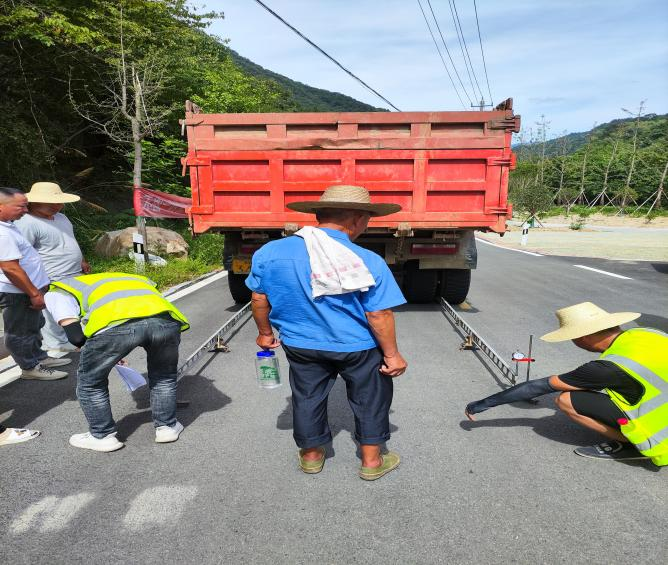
x=107 y=299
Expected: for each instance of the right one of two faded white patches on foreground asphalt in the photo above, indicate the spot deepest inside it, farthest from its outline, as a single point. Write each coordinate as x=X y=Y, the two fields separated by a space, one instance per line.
x=158 y=506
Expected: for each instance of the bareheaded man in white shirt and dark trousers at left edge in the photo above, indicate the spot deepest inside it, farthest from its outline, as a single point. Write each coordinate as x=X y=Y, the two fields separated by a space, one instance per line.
x=22 y=284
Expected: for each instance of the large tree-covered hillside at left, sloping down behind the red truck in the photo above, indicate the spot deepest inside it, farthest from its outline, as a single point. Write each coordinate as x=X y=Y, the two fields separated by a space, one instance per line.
x=74 y=73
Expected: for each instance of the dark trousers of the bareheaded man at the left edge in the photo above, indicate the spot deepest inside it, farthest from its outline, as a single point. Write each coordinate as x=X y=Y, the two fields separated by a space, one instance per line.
x=22 y=325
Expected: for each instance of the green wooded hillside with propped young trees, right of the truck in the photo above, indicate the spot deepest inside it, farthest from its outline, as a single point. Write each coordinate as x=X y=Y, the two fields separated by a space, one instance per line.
x=620 y=164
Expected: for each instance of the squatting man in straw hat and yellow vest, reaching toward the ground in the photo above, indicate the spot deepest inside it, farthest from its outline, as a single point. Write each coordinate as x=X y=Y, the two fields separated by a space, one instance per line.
x=632 y=370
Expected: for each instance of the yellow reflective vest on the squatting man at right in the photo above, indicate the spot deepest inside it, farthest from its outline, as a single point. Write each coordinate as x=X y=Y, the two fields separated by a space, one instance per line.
x=643 y=354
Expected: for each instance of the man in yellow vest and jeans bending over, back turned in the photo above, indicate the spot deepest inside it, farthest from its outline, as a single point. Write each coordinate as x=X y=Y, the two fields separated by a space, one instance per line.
x=119 y=312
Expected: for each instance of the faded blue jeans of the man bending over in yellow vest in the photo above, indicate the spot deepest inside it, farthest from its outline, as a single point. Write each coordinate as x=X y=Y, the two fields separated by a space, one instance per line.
x=160 y=337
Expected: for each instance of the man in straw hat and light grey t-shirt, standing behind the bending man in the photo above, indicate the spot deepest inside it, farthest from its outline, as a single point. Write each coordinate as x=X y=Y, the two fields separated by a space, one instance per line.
x=51 y=234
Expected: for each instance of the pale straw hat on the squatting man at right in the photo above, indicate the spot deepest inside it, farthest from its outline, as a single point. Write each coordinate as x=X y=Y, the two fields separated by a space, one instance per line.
x=586 y=319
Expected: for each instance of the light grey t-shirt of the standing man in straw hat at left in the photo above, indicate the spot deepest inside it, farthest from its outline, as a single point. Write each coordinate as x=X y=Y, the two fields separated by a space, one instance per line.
x=55 y=243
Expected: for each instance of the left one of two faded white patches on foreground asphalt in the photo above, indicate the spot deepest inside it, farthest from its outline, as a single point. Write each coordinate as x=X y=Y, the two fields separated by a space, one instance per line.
x=54 y=513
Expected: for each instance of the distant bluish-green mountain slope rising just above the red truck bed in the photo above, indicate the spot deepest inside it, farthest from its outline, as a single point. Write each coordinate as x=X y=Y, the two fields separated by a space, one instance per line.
x=306 y=98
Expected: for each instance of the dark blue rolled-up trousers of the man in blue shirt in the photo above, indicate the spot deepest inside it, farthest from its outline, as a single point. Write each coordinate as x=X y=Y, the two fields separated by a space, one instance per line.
x=313 y=373
